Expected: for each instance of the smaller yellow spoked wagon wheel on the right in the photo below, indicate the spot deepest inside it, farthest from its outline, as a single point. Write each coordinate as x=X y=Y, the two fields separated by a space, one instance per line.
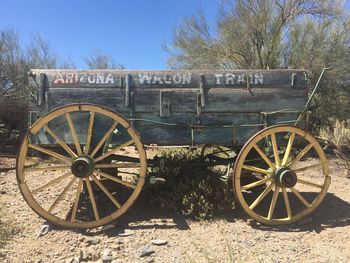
x=289 y=185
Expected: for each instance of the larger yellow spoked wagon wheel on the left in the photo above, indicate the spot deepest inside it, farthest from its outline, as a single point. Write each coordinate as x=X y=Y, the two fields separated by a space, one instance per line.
x=76 y=183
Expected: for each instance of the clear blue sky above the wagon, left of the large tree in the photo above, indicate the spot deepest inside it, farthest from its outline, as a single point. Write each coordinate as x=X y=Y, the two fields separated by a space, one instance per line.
x=132 y=32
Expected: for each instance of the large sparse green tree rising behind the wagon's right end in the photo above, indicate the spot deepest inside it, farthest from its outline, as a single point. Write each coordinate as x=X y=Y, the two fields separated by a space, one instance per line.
x=268 y=34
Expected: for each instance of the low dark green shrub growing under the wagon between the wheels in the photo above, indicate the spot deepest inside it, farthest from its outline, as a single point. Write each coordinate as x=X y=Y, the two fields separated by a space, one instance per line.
x=191 y=187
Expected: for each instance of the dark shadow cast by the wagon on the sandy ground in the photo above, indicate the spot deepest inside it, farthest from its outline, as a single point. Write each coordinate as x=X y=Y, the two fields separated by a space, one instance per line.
x=333 y=212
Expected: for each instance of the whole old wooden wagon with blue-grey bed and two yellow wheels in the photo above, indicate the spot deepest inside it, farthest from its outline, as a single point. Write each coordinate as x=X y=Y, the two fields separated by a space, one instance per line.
x=83 y=161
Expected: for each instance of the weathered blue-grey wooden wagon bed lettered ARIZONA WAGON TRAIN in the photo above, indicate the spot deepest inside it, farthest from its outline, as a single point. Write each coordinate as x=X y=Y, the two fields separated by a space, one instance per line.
x=180 y=107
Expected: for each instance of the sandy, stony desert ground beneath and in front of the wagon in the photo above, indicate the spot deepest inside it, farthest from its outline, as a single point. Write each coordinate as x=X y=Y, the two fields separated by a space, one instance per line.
x=322 y=237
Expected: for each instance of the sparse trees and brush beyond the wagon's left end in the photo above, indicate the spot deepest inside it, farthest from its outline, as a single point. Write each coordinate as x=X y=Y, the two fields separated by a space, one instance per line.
x=15 y=61
